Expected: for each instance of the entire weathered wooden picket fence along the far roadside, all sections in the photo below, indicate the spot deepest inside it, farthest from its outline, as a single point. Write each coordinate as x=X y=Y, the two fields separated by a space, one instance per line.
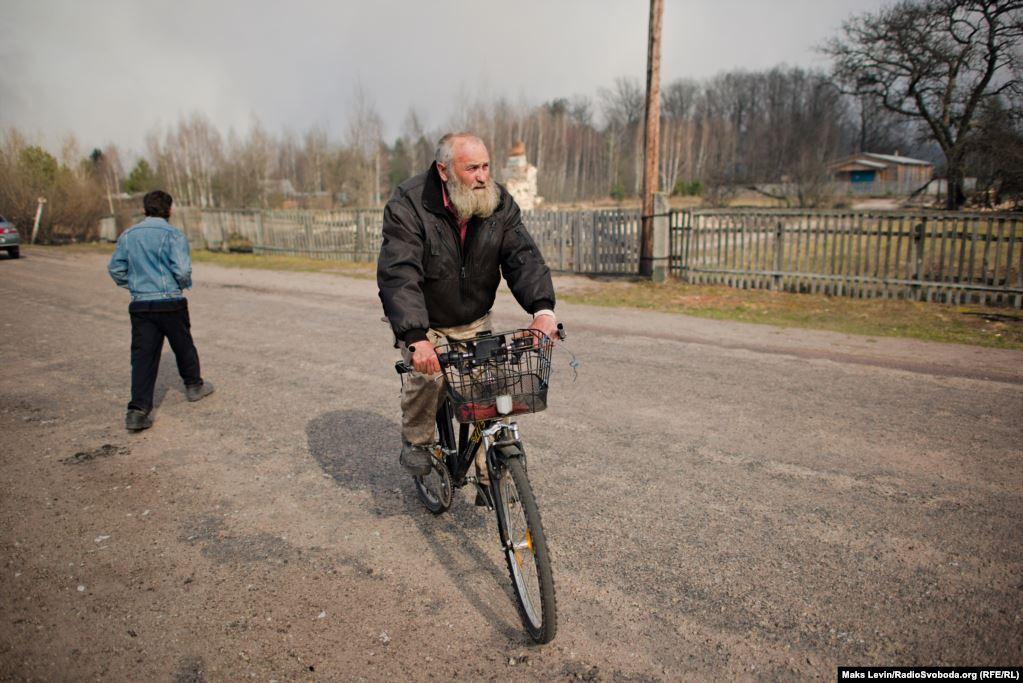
x=925 y=256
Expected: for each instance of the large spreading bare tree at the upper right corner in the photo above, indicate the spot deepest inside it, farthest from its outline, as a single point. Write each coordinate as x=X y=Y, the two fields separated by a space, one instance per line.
x=937 y=61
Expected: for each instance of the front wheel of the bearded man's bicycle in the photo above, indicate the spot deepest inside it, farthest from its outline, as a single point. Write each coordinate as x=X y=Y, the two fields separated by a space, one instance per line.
x=526 y=553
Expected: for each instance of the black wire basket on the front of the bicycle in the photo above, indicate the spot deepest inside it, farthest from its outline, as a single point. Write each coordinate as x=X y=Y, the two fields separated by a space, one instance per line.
x=494 y=376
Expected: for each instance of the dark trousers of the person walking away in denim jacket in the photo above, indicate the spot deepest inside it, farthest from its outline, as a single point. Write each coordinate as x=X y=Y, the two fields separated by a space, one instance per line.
x=151 y=324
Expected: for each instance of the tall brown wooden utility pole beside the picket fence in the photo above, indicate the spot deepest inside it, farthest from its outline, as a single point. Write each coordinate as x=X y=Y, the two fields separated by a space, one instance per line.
x=652 y=138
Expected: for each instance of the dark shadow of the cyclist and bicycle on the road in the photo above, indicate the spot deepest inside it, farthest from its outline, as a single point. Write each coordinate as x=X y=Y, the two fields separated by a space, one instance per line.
x=360 y=450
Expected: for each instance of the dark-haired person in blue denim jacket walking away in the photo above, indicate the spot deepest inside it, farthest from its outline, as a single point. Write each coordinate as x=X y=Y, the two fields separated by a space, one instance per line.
x=153 y=262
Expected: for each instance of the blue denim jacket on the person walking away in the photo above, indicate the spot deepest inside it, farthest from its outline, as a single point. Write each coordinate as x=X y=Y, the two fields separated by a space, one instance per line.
x=152 y=261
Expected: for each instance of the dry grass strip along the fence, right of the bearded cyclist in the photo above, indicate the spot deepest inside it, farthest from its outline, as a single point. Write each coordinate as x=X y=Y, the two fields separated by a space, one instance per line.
x=1001 y=329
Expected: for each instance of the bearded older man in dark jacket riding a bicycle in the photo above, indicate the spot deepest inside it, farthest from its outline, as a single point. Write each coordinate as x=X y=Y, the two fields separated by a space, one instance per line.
x=450 y=235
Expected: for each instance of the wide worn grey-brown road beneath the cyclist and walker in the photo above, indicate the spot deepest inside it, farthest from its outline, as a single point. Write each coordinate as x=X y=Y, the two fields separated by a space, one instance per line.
x=724 y=500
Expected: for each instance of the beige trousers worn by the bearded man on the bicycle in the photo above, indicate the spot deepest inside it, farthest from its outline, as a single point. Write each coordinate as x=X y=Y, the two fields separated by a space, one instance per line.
x=422 y=394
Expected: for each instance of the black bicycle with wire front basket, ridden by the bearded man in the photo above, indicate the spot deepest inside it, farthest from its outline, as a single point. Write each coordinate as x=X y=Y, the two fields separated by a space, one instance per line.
x=490 y=379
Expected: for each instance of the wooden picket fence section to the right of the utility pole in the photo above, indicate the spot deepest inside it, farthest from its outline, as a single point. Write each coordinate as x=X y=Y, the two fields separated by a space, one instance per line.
x=933 y=257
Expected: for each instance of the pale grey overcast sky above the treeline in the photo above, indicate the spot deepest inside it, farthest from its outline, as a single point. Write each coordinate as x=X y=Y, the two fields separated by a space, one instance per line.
x=111 y=71
